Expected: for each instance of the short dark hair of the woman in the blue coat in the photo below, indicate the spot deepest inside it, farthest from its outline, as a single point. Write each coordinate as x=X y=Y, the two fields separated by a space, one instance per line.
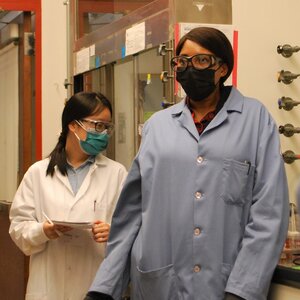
x=213 y=40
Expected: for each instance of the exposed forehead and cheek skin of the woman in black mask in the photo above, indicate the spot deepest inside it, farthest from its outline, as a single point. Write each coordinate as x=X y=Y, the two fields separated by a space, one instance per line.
x=191 y=48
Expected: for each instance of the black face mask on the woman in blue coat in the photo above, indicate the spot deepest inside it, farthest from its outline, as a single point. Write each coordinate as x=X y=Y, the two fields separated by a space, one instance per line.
x=197 y=84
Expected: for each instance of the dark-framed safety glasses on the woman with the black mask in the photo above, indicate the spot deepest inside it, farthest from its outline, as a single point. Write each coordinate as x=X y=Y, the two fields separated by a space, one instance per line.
x=198 y=61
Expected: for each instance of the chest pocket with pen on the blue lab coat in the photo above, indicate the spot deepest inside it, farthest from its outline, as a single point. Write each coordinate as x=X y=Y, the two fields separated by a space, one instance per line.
x=234 y=181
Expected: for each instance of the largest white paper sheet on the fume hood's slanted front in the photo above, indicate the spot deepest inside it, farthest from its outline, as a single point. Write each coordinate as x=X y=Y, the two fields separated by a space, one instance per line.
x=135 y=39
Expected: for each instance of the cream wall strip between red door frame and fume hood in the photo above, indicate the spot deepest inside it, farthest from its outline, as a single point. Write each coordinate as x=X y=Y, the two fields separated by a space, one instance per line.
x=54 y=70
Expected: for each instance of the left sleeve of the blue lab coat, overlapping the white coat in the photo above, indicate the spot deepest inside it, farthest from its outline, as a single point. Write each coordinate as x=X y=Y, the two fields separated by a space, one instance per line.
x=113 y=275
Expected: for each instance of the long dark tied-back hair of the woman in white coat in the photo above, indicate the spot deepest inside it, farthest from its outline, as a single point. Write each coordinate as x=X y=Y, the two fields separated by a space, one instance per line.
x=79 y=106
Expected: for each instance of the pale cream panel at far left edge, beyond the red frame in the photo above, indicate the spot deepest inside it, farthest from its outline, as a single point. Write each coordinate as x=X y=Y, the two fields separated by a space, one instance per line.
x=9 y=115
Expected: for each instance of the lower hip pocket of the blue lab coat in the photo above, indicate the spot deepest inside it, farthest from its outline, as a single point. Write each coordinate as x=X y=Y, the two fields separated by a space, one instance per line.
x=159 y=284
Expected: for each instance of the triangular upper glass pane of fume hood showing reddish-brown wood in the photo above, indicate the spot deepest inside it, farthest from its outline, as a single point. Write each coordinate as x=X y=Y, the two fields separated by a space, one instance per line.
x=94 y=14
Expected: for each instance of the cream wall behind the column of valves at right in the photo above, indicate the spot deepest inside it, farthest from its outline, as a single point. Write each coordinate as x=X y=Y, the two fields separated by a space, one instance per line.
x=262 y=26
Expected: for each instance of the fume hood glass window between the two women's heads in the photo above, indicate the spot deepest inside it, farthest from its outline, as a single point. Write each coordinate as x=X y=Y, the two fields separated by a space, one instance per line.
x=138 y=93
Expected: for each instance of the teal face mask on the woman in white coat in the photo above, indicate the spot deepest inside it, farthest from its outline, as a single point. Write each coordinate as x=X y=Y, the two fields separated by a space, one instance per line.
x=94 y=143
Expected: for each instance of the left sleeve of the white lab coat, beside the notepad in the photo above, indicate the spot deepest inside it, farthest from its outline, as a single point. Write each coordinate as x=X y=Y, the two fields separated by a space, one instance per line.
x=25 y=230
